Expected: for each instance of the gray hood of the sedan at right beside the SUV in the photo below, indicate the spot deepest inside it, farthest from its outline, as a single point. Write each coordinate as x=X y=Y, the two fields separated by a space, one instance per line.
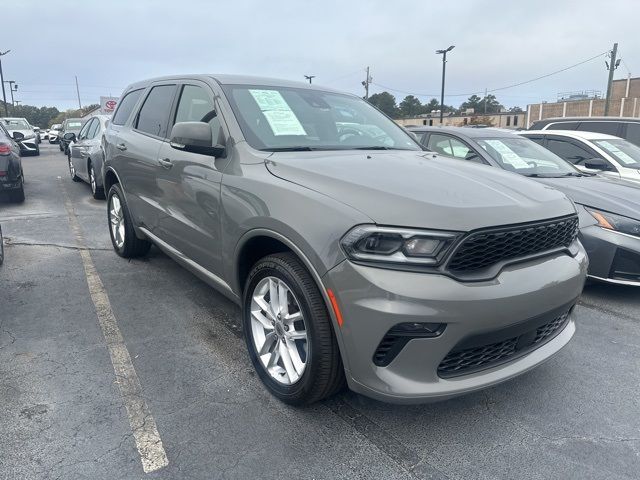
x=605 y=193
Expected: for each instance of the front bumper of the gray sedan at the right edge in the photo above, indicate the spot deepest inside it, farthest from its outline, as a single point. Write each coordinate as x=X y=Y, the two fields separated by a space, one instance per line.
x=613 y=257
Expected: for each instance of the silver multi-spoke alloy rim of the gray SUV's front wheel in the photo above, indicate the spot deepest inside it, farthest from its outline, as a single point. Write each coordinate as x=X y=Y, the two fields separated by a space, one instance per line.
x=279 y=331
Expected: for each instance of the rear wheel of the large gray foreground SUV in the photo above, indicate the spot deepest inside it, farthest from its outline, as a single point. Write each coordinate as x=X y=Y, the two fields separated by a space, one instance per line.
x=123 y=236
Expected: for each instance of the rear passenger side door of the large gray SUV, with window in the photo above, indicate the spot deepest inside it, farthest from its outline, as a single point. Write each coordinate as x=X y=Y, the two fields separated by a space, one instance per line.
x=139 y=146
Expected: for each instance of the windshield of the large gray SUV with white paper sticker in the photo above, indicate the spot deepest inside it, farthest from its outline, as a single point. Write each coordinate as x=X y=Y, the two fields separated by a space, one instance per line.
x=280 y=119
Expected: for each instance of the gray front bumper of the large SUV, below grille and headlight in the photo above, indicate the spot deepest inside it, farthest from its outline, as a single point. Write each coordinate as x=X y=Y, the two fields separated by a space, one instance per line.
x=373 y=300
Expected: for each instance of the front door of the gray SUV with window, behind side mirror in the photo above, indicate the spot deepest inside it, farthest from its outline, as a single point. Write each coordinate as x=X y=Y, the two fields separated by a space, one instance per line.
x=191 y=182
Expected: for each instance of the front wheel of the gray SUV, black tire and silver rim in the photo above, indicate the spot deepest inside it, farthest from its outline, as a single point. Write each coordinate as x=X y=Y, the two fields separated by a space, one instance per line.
x=288 y=332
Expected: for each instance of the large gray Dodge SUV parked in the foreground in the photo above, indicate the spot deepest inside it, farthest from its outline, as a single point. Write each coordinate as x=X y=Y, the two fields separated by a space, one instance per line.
x=354 y=254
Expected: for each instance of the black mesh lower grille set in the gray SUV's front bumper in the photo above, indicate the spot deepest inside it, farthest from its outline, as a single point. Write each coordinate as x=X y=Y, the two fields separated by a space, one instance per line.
x=470 y=360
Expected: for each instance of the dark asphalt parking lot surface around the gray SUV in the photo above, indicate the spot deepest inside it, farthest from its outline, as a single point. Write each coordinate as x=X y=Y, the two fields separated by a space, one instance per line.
x=65 y=415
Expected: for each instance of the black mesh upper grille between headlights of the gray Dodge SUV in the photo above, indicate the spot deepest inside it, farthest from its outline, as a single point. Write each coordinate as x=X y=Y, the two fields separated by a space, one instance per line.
x=486 y=248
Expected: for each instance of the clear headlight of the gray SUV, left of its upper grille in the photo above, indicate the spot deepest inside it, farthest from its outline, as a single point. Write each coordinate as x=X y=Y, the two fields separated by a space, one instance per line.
x=370 y=243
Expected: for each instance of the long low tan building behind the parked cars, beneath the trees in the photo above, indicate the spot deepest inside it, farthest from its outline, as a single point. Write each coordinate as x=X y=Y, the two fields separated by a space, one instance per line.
x=500 y=120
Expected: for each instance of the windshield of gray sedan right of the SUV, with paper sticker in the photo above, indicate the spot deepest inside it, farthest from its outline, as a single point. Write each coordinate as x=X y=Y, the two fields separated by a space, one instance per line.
x=526 y=157
